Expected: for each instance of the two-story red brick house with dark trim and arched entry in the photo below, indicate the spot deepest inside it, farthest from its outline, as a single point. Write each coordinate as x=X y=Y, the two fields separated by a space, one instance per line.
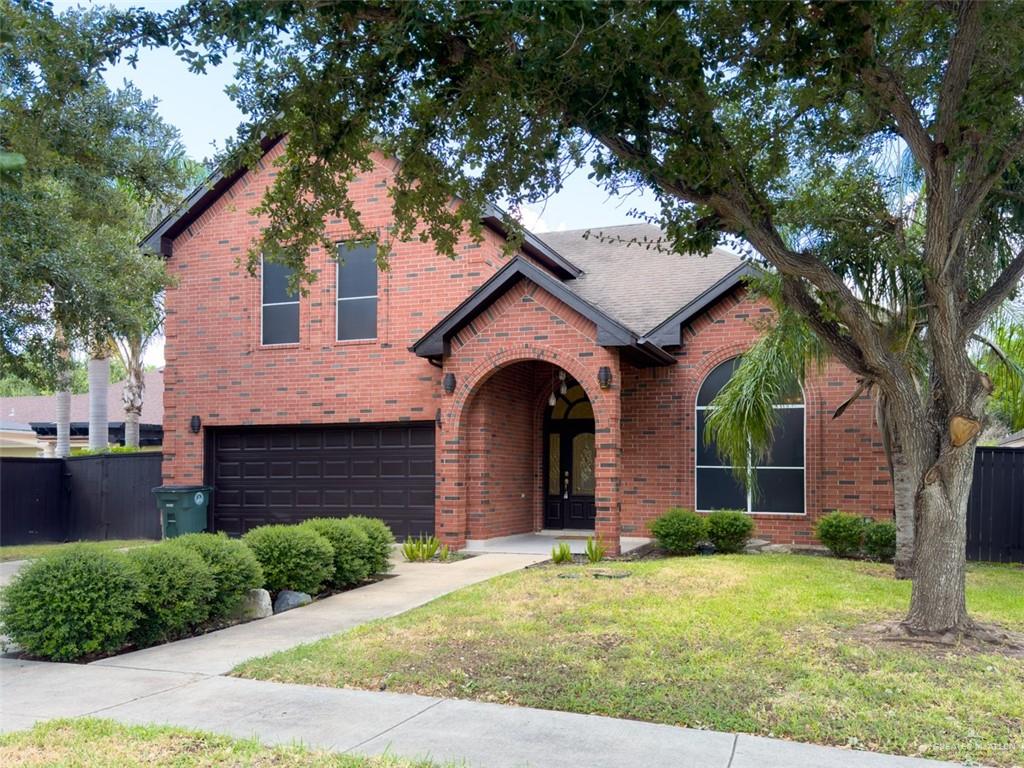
x=563 y=389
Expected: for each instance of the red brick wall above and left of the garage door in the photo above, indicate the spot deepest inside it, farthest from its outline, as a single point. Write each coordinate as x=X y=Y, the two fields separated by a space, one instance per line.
x=217 y=368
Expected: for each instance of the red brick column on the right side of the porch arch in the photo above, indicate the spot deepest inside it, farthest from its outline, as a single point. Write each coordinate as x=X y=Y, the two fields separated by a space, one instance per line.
x=608 y=475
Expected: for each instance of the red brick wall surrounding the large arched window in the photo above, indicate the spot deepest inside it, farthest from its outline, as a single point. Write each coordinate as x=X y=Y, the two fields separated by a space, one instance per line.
x=845 y=465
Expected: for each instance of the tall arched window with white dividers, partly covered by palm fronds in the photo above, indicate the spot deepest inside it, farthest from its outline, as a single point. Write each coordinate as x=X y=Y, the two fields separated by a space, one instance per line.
x=781 y=475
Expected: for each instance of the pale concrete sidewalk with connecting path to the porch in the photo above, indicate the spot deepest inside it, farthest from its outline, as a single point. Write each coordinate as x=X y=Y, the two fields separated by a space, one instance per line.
x=182 y=685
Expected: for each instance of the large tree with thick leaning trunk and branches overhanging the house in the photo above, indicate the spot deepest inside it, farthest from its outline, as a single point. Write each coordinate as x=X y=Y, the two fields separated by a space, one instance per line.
x=760 y=123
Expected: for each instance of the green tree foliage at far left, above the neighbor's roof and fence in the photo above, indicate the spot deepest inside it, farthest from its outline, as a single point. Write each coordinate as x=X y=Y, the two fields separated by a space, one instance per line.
x=95 y=161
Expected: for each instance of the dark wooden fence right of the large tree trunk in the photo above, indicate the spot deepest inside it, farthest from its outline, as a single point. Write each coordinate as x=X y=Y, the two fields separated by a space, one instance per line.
x=996 y=510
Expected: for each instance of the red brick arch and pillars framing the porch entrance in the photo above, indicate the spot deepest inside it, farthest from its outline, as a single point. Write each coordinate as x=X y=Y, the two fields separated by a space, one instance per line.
x=453 y=443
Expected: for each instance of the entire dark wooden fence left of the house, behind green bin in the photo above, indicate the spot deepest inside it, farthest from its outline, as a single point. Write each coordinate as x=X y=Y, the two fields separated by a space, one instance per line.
x=89 y=497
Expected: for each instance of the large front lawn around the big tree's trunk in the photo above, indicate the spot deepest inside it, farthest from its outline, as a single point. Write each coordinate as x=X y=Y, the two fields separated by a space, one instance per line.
x=763 y=645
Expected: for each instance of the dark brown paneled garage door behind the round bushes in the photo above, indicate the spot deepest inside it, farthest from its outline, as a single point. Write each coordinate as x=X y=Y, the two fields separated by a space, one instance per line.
x=287 y=475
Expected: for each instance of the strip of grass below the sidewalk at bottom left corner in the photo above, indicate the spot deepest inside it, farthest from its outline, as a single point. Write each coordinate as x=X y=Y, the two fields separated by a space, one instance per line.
x=103 y=744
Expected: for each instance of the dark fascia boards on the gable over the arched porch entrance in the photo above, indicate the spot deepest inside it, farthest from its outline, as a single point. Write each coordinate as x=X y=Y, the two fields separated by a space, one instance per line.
x=611 y=333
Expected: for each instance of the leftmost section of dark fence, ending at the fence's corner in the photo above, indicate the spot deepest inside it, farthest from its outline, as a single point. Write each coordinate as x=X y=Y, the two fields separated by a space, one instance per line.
x=32 y=501
